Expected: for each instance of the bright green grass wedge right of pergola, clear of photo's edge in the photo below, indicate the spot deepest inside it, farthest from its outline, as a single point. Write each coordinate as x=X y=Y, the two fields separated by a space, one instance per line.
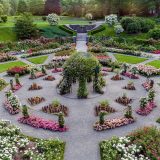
x=129 y=59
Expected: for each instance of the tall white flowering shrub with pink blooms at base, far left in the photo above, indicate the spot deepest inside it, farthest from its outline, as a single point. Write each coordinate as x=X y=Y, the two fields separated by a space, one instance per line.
x=12 y=103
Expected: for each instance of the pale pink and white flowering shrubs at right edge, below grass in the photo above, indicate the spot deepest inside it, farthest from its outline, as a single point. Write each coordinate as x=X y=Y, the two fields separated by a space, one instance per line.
x=147 y=70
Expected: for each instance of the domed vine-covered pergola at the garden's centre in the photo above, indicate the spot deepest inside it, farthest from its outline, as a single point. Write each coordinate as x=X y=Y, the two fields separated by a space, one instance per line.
x=81 y=67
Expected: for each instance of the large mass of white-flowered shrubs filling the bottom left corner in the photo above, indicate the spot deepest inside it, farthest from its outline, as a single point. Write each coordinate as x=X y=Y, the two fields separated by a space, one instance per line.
x=14 y=145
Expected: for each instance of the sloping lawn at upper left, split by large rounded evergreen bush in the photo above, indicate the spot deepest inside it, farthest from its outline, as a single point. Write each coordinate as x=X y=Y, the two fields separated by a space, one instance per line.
x=7 y=29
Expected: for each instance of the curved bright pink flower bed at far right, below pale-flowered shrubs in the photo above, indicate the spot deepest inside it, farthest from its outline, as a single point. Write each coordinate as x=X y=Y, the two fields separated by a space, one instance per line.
x=148 y=109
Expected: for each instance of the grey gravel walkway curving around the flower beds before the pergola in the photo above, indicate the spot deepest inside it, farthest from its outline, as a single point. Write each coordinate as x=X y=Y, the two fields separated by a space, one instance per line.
x=82 y=140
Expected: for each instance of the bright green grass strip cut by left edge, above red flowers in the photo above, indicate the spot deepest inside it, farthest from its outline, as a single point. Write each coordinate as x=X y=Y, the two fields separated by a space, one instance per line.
x=5 y=66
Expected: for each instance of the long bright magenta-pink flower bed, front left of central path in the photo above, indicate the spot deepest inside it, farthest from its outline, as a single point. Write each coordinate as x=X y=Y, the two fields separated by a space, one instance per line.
x=38 y=122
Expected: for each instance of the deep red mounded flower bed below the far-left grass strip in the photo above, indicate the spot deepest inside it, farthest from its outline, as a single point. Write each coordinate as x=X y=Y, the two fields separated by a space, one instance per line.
x=18 y=70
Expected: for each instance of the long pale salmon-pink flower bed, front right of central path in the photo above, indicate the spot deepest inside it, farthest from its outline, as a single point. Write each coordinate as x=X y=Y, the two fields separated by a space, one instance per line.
x=113 y=123
